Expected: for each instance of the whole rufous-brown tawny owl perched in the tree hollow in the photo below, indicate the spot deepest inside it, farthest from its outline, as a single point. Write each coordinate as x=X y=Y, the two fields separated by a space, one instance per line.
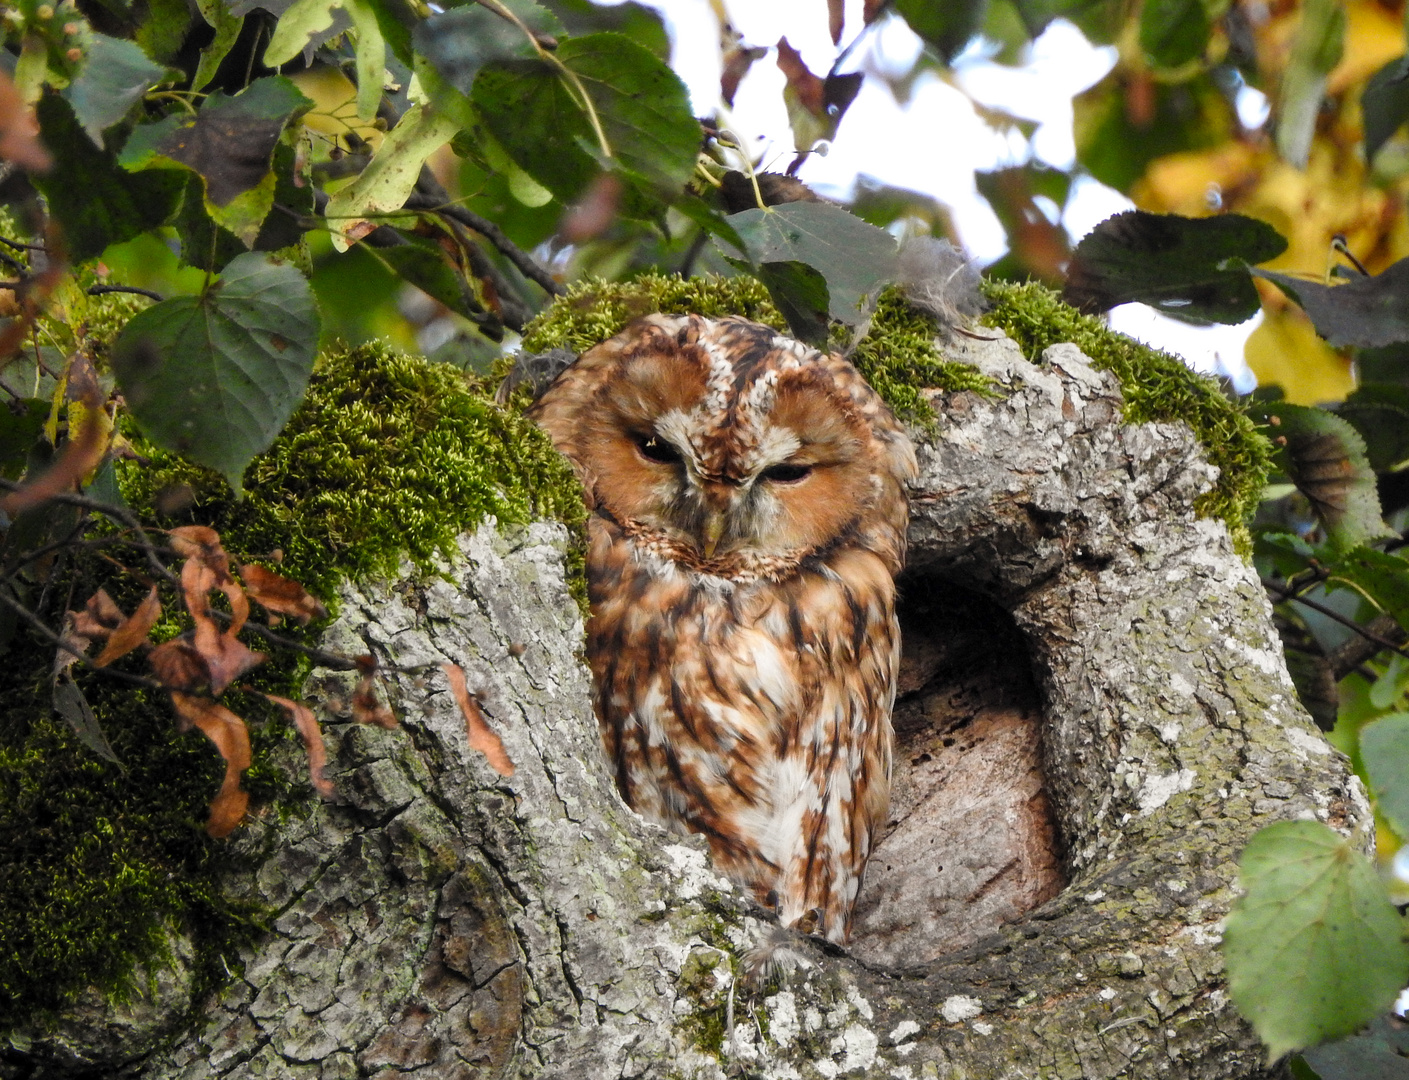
x=749 y=517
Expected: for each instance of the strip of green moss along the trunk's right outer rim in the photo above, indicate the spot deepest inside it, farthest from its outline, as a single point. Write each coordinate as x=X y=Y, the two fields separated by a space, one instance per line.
x=1157 y=387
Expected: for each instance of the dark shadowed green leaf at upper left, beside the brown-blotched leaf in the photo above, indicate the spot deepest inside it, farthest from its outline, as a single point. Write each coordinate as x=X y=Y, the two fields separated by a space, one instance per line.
x=92 y=199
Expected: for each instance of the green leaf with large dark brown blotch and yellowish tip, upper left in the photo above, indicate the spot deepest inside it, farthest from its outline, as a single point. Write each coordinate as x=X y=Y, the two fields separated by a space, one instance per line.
x=230 y=144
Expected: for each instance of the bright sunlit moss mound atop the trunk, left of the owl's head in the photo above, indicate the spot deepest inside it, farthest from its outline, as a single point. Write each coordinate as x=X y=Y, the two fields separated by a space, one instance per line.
x=388 y=456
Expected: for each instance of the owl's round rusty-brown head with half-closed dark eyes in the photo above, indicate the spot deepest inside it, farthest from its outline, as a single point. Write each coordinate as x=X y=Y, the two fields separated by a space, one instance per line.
x=732 y=441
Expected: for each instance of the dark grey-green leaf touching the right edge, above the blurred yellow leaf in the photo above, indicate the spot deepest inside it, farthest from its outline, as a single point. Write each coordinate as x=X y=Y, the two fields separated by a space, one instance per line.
x=1366 y=312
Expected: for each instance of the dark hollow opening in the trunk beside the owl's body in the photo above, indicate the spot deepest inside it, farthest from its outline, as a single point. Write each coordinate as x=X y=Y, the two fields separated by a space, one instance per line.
x=972 y=841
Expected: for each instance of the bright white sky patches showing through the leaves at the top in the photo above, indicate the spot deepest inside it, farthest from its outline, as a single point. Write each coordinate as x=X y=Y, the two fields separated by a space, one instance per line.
x=936 y=142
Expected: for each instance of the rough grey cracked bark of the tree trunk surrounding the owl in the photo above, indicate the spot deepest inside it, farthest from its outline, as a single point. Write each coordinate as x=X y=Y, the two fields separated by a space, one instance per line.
x=443 y=922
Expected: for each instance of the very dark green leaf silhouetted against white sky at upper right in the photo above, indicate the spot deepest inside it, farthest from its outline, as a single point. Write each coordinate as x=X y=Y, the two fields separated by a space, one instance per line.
x=1187 y=268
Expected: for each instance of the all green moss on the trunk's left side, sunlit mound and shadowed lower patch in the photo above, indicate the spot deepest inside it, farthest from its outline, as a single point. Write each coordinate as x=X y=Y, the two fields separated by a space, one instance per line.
x=390 y=456
